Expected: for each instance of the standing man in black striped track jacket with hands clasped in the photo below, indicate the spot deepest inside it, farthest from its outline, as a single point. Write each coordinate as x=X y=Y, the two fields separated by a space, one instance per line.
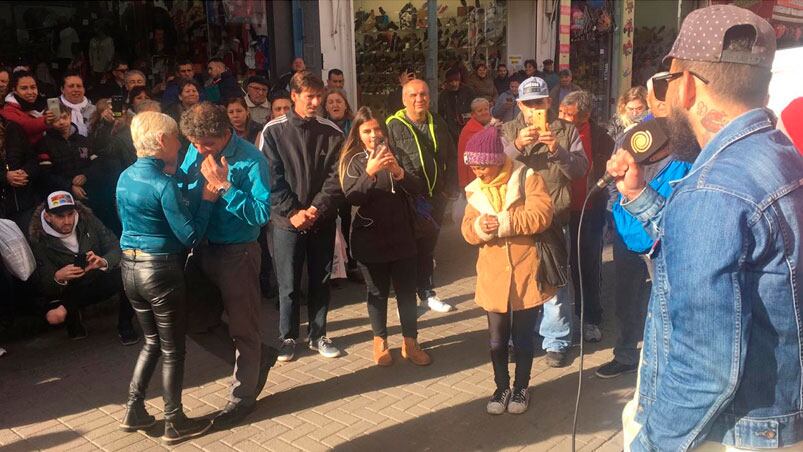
x=303 y=150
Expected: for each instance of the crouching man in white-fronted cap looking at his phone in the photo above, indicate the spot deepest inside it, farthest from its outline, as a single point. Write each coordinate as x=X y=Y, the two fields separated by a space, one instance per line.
x=77 y=264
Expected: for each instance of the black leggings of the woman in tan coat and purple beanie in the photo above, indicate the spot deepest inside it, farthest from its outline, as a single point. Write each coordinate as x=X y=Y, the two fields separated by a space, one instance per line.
x=499 y=329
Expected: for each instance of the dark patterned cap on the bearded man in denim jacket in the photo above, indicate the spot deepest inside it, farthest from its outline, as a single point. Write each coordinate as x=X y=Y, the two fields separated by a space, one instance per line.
x=703 y=32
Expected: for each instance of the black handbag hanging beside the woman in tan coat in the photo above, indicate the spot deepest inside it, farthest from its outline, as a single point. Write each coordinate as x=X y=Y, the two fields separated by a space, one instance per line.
x=553 y=268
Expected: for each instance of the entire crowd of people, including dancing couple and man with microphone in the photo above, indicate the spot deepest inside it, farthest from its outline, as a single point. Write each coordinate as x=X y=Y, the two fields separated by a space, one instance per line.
x=214 y=191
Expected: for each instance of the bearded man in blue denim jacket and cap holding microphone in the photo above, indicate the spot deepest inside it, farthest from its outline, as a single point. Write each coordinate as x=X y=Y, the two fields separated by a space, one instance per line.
x=721 y=361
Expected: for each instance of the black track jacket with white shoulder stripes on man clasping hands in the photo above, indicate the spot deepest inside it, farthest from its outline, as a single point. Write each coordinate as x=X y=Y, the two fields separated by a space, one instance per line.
x=303 y=156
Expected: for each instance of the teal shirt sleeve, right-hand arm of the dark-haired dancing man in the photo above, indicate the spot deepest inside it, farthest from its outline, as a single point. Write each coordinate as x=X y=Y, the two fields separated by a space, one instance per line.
x=249 y=196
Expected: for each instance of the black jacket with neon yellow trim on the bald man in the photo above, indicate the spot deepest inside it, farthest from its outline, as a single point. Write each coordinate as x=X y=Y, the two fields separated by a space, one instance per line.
x=439 y=170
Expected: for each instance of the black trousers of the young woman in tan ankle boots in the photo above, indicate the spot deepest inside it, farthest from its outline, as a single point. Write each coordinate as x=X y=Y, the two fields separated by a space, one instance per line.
x=378 y=277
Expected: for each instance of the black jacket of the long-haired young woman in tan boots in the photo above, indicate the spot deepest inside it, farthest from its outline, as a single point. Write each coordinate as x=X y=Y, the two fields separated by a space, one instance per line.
x=382 y=228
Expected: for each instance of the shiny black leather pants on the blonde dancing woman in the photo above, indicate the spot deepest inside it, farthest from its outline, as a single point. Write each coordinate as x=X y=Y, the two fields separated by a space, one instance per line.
x=155 y=287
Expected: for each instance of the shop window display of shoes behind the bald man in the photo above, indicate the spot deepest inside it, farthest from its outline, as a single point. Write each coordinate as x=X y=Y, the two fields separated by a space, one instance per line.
x=388 y=41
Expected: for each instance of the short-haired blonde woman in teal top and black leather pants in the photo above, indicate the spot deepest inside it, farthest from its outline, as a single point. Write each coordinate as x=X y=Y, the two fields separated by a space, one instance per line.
x=157 y=231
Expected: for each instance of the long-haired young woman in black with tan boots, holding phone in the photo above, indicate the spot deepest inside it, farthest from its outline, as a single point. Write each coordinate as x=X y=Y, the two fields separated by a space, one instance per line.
x=382 y=235
